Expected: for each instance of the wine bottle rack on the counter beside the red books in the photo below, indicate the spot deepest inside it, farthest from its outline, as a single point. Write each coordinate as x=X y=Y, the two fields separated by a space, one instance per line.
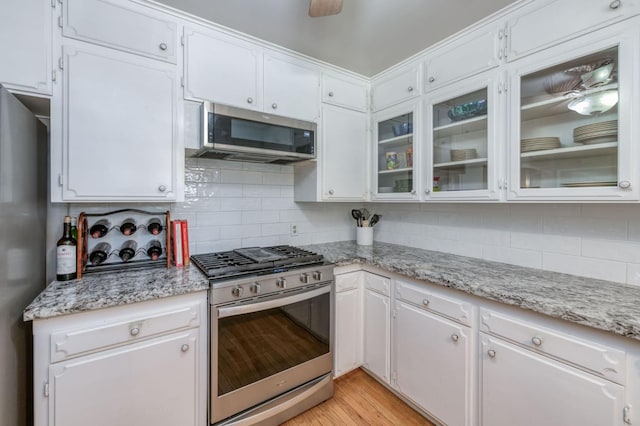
x=113 y=234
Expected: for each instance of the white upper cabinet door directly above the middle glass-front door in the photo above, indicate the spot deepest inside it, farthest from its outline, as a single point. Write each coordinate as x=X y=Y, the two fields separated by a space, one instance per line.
x=481 y=49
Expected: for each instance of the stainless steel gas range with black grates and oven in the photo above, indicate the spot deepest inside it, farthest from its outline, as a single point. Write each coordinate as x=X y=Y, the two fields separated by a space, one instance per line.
x=271 y=333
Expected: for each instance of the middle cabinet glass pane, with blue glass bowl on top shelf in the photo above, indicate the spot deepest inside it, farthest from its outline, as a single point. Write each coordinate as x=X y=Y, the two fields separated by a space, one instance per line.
x=460 y=143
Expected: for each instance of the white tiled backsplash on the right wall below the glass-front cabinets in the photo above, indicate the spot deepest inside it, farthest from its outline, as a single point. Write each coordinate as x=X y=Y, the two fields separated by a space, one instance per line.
x=593 y=240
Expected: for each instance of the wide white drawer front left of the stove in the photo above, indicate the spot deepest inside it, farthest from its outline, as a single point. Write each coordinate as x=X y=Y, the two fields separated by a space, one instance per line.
x=67 y=344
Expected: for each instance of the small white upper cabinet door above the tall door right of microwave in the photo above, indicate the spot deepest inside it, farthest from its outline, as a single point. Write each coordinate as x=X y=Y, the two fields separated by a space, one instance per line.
x=345 y=92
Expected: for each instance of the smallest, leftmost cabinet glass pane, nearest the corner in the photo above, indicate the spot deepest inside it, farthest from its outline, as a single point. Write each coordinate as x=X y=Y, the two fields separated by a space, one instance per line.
x=395 y=154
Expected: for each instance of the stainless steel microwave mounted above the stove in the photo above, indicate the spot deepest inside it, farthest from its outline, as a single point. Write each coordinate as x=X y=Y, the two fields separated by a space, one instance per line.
x=243 y=135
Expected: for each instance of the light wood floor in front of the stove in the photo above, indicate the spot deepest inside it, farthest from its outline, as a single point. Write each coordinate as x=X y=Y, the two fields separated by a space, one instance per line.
x=360 y=400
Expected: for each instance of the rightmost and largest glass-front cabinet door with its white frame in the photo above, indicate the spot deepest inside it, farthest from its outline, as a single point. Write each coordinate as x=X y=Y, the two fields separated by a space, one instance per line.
x=572 y=133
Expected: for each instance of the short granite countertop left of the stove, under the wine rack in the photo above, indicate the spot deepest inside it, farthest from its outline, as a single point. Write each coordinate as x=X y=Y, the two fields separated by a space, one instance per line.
x=107 y=289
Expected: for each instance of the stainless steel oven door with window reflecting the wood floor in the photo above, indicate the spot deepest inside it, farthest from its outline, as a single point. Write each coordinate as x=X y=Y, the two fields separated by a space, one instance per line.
x=263 y=348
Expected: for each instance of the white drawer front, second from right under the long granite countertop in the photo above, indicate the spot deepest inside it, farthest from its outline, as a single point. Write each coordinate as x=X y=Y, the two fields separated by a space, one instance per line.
x=443 y=305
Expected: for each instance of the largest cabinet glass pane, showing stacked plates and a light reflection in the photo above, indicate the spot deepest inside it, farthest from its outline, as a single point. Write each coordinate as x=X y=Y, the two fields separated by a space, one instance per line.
x=569 y=124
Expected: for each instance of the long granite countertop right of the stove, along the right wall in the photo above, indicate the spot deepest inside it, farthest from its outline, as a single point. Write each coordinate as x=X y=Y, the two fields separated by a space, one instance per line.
x=599 y=304
